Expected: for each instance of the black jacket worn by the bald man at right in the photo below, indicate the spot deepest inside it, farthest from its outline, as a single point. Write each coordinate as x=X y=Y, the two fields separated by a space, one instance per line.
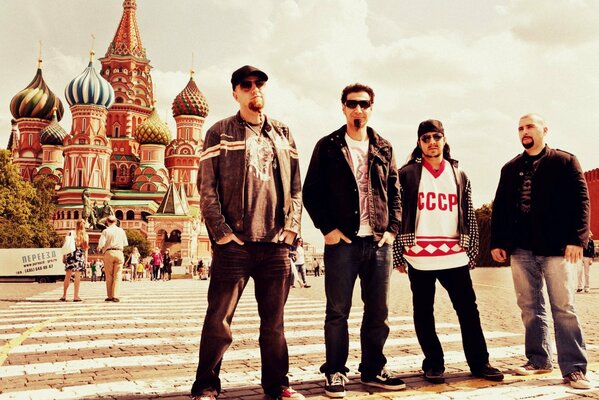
x=560 y=205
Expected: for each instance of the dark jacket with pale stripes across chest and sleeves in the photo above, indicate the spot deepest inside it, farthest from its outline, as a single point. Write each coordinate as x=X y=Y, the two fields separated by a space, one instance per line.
x=221 y=178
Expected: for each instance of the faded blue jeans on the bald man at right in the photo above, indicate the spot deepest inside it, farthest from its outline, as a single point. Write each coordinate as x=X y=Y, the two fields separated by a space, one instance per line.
x=528 y=272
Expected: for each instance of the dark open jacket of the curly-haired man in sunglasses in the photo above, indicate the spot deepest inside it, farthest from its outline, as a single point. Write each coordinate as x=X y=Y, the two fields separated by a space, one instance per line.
x=331 y=193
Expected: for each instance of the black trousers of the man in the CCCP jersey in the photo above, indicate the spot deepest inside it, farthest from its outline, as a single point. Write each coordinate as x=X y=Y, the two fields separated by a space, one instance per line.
x=458 y=284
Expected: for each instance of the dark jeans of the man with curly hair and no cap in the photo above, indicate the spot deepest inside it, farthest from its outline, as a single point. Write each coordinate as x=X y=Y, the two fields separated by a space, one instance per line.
x=344 y=264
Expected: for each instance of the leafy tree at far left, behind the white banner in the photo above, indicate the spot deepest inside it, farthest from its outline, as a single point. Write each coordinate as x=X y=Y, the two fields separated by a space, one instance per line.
x=25 y=210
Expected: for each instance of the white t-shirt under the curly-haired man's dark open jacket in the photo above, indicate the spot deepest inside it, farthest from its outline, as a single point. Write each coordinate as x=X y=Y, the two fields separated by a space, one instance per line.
x=358 y=151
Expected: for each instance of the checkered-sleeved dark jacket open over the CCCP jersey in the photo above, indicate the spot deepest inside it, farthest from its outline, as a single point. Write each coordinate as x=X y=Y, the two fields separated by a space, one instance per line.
x=409 y=178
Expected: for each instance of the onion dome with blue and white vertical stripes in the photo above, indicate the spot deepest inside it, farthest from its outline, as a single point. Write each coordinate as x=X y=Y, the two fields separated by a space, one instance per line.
x=89 y=88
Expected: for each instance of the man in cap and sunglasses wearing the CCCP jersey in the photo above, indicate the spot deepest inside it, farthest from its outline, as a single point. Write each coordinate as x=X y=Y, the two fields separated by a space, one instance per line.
x=439 y=241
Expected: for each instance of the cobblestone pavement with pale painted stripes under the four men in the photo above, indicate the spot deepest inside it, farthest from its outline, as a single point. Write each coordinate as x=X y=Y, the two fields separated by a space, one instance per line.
x=146 y=346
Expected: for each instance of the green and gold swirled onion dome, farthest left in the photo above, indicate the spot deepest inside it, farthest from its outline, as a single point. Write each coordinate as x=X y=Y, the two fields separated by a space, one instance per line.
x=36 y=101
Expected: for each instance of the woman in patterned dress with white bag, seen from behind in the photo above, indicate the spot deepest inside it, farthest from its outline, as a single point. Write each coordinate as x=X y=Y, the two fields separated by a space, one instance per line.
x=76 y=260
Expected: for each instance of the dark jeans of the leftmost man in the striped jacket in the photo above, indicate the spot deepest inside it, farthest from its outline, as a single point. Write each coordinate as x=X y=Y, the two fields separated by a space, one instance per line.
x=232 y=266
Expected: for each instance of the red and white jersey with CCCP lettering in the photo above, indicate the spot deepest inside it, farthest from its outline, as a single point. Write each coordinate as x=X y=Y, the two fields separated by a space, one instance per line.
x=437 y=238
